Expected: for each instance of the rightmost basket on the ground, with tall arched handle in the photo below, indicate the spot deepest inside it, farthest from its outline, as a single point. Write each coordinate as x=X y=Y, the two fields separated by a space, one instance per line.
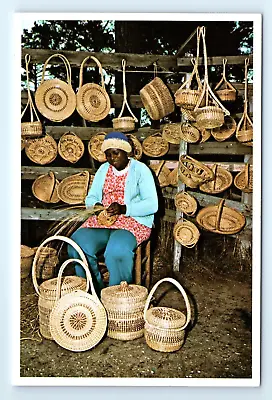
x=164 y=328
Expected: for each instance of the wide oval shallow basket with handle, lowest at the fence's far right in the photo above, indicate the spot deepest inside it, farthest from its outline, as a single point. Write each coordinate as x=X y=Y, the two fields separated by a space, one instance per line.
x=221 y=219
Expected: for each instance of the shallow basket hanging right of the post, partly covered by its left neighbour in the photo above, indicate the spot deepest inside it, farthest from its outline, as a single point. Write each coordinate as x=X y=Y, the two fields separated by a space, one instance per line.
x=222 y=181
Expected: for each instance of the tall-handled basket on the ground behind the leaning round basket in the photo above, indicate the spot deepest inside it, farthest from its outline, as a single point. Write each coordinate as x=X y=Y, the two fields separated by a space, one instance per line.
x=47 y=290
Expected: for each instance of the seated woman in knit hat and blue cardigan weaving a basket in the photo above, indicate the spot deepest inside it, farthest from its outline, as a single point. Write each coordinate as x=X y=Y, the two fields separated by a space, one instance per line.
x=126 y=189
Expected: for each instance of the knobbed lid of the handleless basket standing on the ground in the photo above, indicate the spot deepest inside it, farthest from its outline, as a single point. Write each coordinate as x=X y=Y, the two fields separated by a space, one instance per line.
x=123 y=294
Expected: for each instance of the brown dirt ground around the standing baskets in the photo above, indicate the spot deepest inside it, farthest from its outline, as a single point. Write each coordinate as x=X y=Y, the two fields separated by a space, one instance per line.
x=217 y=345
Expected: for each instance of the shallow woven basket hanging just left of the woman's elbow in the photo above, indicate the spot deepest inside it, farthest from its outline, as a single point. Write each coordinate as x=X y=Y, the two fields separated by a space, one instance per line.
x=74 y=188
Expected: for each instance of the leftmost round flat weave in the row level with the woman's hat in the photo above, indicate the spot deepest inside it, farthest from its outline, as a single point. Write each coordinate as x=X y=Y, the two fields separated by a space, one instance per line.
x=42 y=150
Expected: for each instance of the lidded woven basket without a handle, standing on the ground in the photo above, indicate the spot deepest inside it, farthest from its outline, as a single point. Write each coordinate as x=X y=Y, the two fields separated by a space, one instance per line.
x=125 y=308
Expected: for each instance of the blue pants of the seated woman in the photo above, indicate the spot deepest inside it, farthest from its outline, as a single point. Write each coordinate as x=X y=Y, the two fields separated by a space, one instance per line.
x=119 y=246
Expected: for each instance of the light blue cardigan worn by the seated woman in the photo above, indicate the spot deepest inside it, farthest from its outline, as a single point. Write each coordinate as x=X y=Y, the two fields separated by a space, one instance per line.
x=140 y=195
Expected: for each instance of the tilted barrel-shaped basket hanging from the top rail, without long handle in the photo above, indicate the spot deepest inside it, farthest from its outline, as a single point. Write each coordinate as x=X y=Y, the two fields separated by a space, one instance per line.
x=157 y=99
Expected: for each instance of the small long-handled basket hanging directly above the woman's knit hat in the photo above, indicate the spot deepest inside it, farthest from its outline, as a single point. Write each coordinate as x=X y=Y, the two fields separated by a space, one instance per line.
x=124 y=123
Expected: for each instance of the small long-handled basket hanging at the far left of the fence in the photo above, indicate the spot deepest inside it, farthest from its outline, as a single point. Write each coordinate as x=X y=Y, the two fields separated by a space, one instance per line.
x=32 y=128
